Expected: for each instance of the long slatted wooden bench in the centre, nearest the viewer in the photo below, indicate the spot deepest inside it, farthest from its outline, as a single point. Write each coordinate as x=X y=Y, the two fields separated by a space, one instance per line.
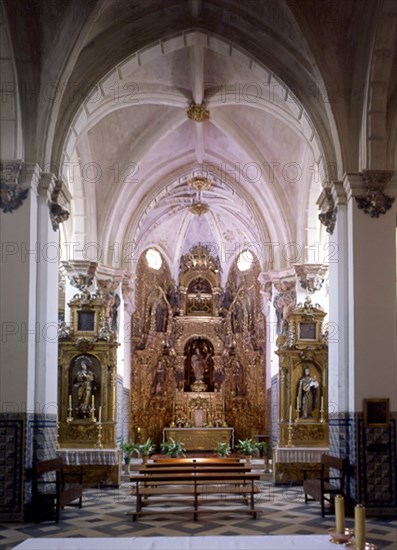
x=202 y=485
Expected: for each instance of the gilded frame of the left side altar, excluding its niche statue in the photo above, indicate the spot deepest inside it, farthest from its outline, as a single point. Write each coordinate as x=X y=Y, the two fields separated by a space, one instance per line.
x=98 y=430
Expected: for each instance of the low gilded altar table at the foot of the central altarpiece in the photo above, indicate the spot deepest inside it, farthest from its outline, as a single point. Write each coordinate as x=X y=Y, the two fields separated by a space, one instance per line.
x=200 y=439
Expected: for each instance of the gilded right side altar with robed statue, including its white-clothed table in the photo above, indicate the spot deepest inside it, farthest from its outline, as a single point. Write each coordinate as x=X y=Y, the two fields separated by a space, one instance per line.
x=303 y=392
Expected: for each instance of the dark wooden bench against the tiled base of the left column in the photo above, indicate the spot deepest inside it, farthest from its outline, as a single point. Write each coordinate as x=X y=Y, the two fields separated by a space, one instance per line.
x=50 y=495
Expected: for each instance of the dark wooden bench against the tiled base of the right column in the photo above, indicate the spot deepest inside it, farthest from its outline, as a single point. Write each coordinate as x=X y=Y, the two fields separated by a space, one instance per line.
x=326 y=486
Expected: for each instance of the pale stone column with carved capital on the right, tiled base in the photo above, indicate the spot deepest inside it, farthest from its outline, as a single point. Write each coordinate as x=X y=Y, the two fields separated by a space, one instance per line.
x=362 y=314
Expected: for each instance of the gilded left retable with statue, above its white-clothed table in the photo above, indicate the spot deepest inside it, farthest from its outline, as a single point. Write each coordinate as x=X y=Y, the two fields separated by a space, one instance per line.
x=87 y=375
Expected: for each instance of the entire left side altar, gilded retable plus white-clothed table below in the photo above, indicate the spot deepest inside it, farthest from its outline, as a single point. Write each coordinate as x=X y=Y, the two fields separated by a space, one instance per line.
x=87 y=372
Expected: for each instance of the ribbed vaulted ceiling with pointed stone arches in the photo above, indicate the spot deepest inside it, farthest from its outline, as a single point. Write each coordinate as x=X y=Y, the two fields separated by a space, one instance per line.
x=282 y=82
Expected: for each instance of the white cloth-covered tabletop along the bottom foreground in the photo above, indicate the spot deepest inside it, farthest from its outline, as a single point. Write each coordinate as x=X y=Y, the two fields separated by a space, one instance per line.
x=266 y=542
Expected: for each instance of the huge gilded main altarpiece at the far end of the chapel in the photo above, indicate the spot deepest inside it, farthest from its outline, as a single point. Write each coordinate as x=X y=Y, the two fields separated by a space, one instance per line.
x=201 y=367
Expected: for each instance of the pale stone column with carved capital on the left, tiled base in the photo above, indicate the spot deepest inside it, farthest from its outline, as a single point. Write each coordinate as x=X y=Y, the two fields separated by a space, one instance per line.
x=29 y=299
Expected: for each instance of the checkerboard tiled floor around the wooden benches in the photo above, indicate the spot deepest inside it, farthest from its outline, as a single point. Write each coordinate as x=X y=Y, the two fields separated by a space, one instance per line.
x=107 y=513
